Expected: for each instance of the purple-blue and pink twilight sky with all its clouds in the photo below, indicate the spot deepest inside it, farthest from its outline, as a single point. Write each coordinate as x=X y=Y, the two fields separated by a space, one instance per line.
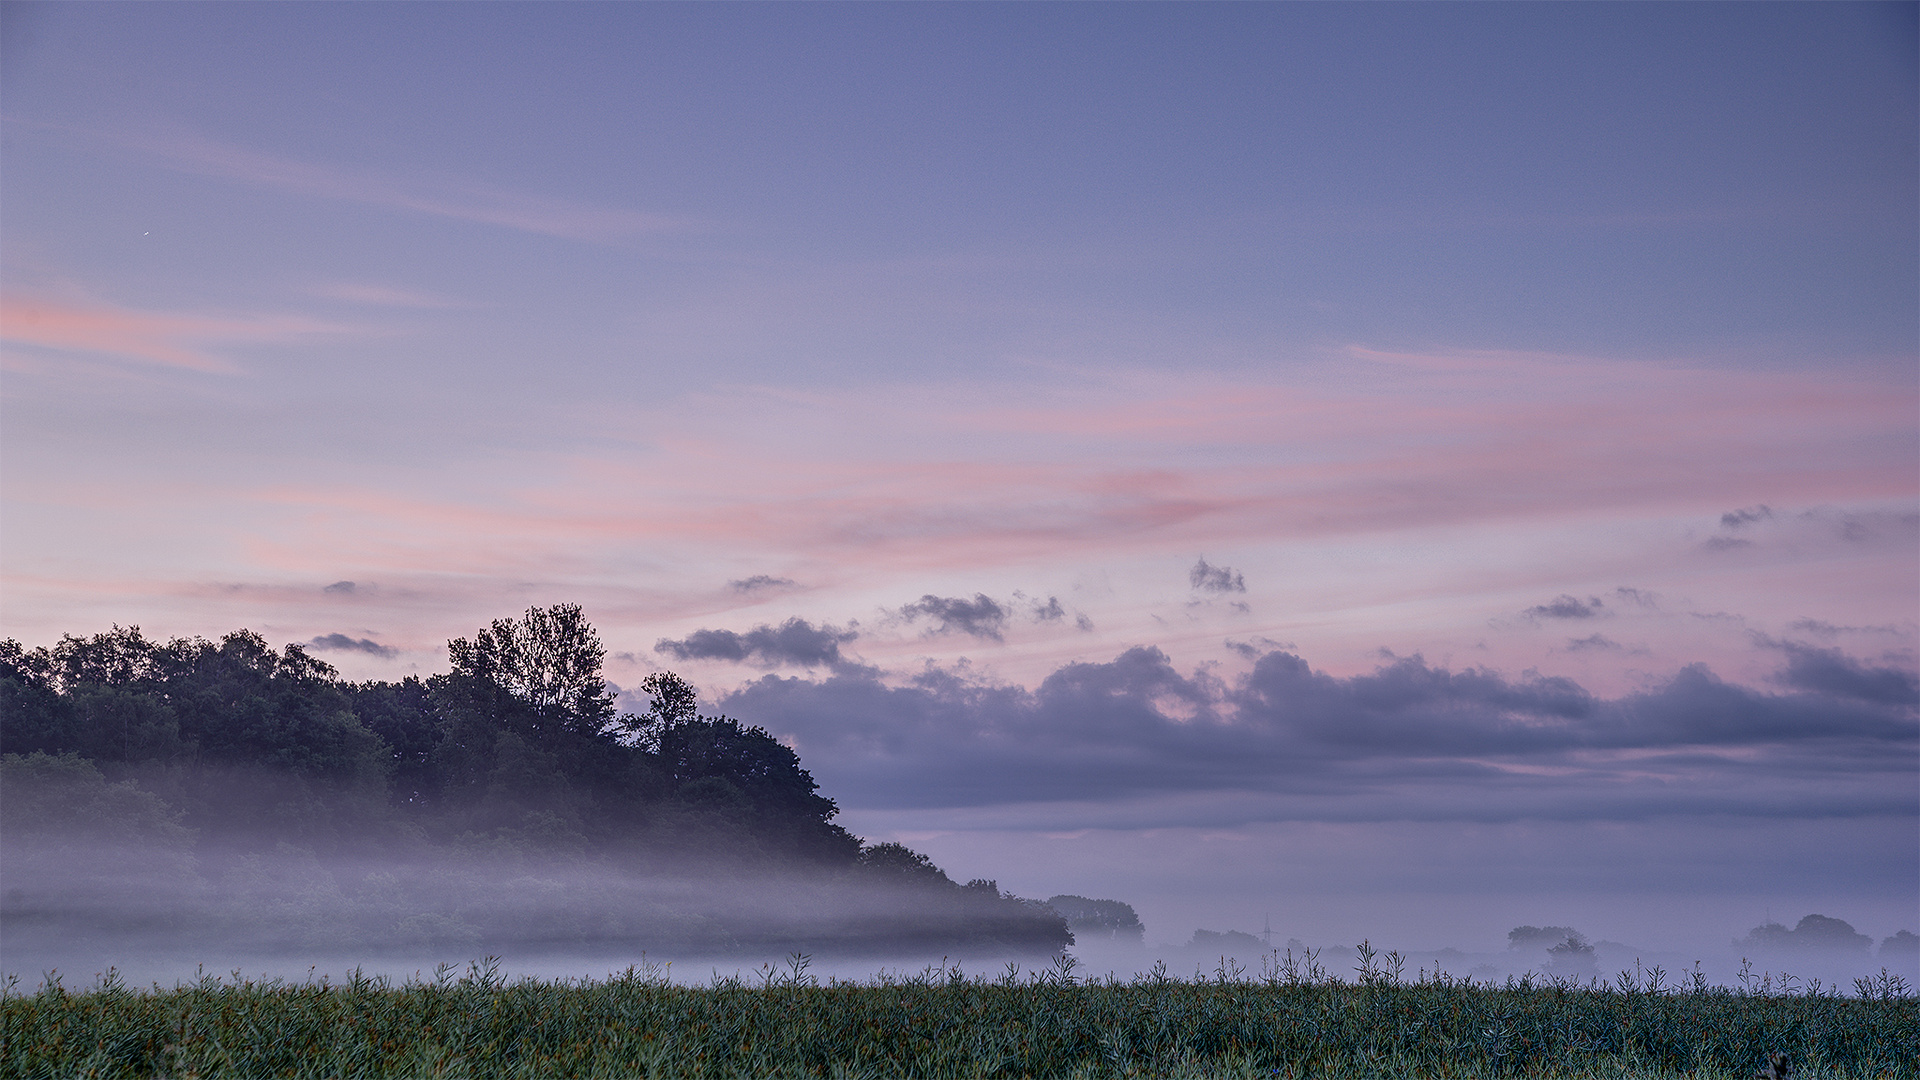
x=1387 y=470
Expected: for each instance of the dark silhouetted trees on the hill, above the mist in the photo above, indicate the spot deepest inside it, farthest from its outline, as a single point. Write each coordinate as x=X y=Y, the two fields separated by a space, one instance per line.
x=517 y=754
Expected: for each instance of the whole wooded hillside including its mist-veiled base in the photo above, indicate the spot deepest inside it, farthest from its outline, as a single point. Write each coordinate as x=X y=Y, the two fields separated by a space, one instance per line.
x=508 y=797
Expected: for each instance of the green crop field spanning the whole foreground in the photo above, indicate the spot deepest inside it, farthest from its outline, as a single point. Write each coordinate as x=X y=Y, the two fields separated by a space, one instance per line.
x=1289 y=1021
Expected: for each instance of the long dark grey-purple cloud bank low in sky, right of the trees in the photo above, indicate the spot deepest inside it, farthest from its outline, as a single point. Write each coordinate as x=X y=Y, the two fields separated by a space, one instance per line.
x=1404 y=743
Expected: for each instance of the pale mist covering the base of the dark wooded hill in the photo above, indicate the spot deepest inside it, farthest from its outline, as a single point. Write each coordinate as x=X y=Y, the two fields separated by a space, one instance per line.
x=160 y=914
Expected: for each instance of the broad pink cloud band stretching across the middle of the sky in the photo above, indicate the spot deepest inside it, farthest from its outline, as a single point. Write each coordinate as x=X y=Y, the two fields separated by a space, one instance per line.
x=869 y=487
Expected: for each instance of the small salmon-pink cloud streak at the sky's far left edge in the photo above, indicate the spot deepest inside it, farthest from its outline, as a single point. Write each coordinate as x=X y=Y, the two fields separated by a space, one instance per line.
x=145 y=337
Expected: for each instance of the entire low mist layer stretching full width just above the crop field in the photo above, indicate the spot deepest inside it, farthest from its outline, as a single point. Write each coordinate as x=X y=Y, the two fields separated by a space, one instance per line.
x=164 y=914
